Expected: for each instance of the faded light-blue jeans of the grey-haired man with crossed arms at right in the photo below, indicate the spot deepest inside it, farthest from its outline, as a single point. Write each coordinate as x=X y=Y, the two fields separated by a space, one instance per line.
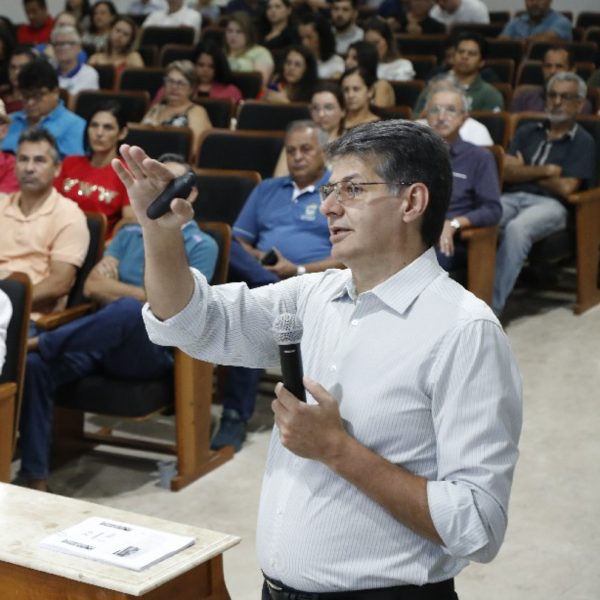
x=526 y=219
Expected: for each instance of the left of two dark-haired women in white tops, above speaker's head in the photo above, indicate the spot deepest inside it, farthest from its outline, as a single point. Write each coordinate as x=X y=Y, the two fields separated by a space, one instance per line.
x=315 y=33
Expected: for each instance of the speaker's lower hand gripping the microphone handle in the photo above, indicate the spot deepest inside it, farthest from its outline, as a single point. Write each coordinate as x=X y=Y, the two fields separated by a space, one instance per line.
x=313 y=431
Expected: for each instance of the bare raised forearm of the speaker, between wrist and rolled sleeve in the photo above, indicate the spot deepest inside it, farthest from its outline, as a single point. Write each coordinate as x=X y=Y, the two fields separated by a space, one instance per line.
x=168 y=281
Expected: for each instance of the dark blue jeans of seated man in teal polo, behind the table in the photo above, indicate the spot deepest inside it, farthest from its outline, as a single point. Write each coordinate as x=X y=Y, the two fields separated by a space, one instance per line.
x=112 y=341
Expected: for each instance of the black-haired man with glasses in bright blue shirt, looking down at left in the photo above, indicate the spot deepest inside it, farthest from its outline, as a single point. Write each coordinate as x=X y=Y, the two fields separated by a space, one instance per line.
x=42 y=107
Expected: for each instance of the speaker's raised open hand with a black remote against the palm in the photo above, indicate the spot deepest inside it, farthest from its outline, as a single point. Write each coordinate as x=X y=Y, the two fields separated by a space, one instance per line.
x=145 y=178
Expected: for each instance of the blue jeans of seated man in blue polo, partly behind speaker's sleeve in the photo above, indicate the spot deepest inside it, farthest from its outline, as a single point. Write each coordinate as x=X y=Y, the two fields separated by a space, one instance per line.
x=239 y=390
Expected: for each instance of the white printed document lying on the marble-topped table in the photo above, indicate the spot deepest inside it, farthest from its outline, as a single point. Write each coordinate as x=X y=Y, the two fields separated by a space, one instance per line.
x=122 y=544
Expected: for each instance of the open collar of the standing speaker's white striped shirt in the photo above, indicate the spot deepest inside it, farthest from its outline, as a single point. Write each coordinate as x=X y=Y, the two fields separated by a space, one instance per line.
x=401 y=289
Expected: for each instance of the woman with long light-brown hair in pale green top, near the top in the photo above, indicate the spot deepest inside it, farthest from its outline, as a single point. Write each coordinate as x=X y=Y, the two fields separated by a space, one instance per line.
x=242 y=50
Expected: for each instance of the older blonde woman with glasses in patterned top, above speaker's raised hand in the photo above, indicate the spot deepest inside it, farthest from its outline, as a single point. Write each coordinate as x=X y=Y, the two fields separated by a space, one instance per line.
x=177 y=107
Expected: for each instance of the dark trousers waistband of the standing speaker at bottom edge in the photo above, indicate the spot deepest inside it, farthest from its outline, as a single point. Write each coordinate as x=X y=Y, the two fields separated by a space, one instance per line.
x=436 y=591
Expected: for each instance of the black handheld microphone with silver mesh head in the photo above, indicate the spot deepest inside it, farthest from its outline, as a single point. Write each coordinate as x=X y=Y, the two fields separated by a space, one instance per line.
x=287 y=330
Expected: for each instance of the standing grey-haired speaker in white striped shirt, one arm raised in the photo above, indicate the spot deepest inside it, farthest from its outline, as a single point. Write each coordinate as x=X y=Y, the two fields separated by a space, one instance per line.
x=397 y=471
